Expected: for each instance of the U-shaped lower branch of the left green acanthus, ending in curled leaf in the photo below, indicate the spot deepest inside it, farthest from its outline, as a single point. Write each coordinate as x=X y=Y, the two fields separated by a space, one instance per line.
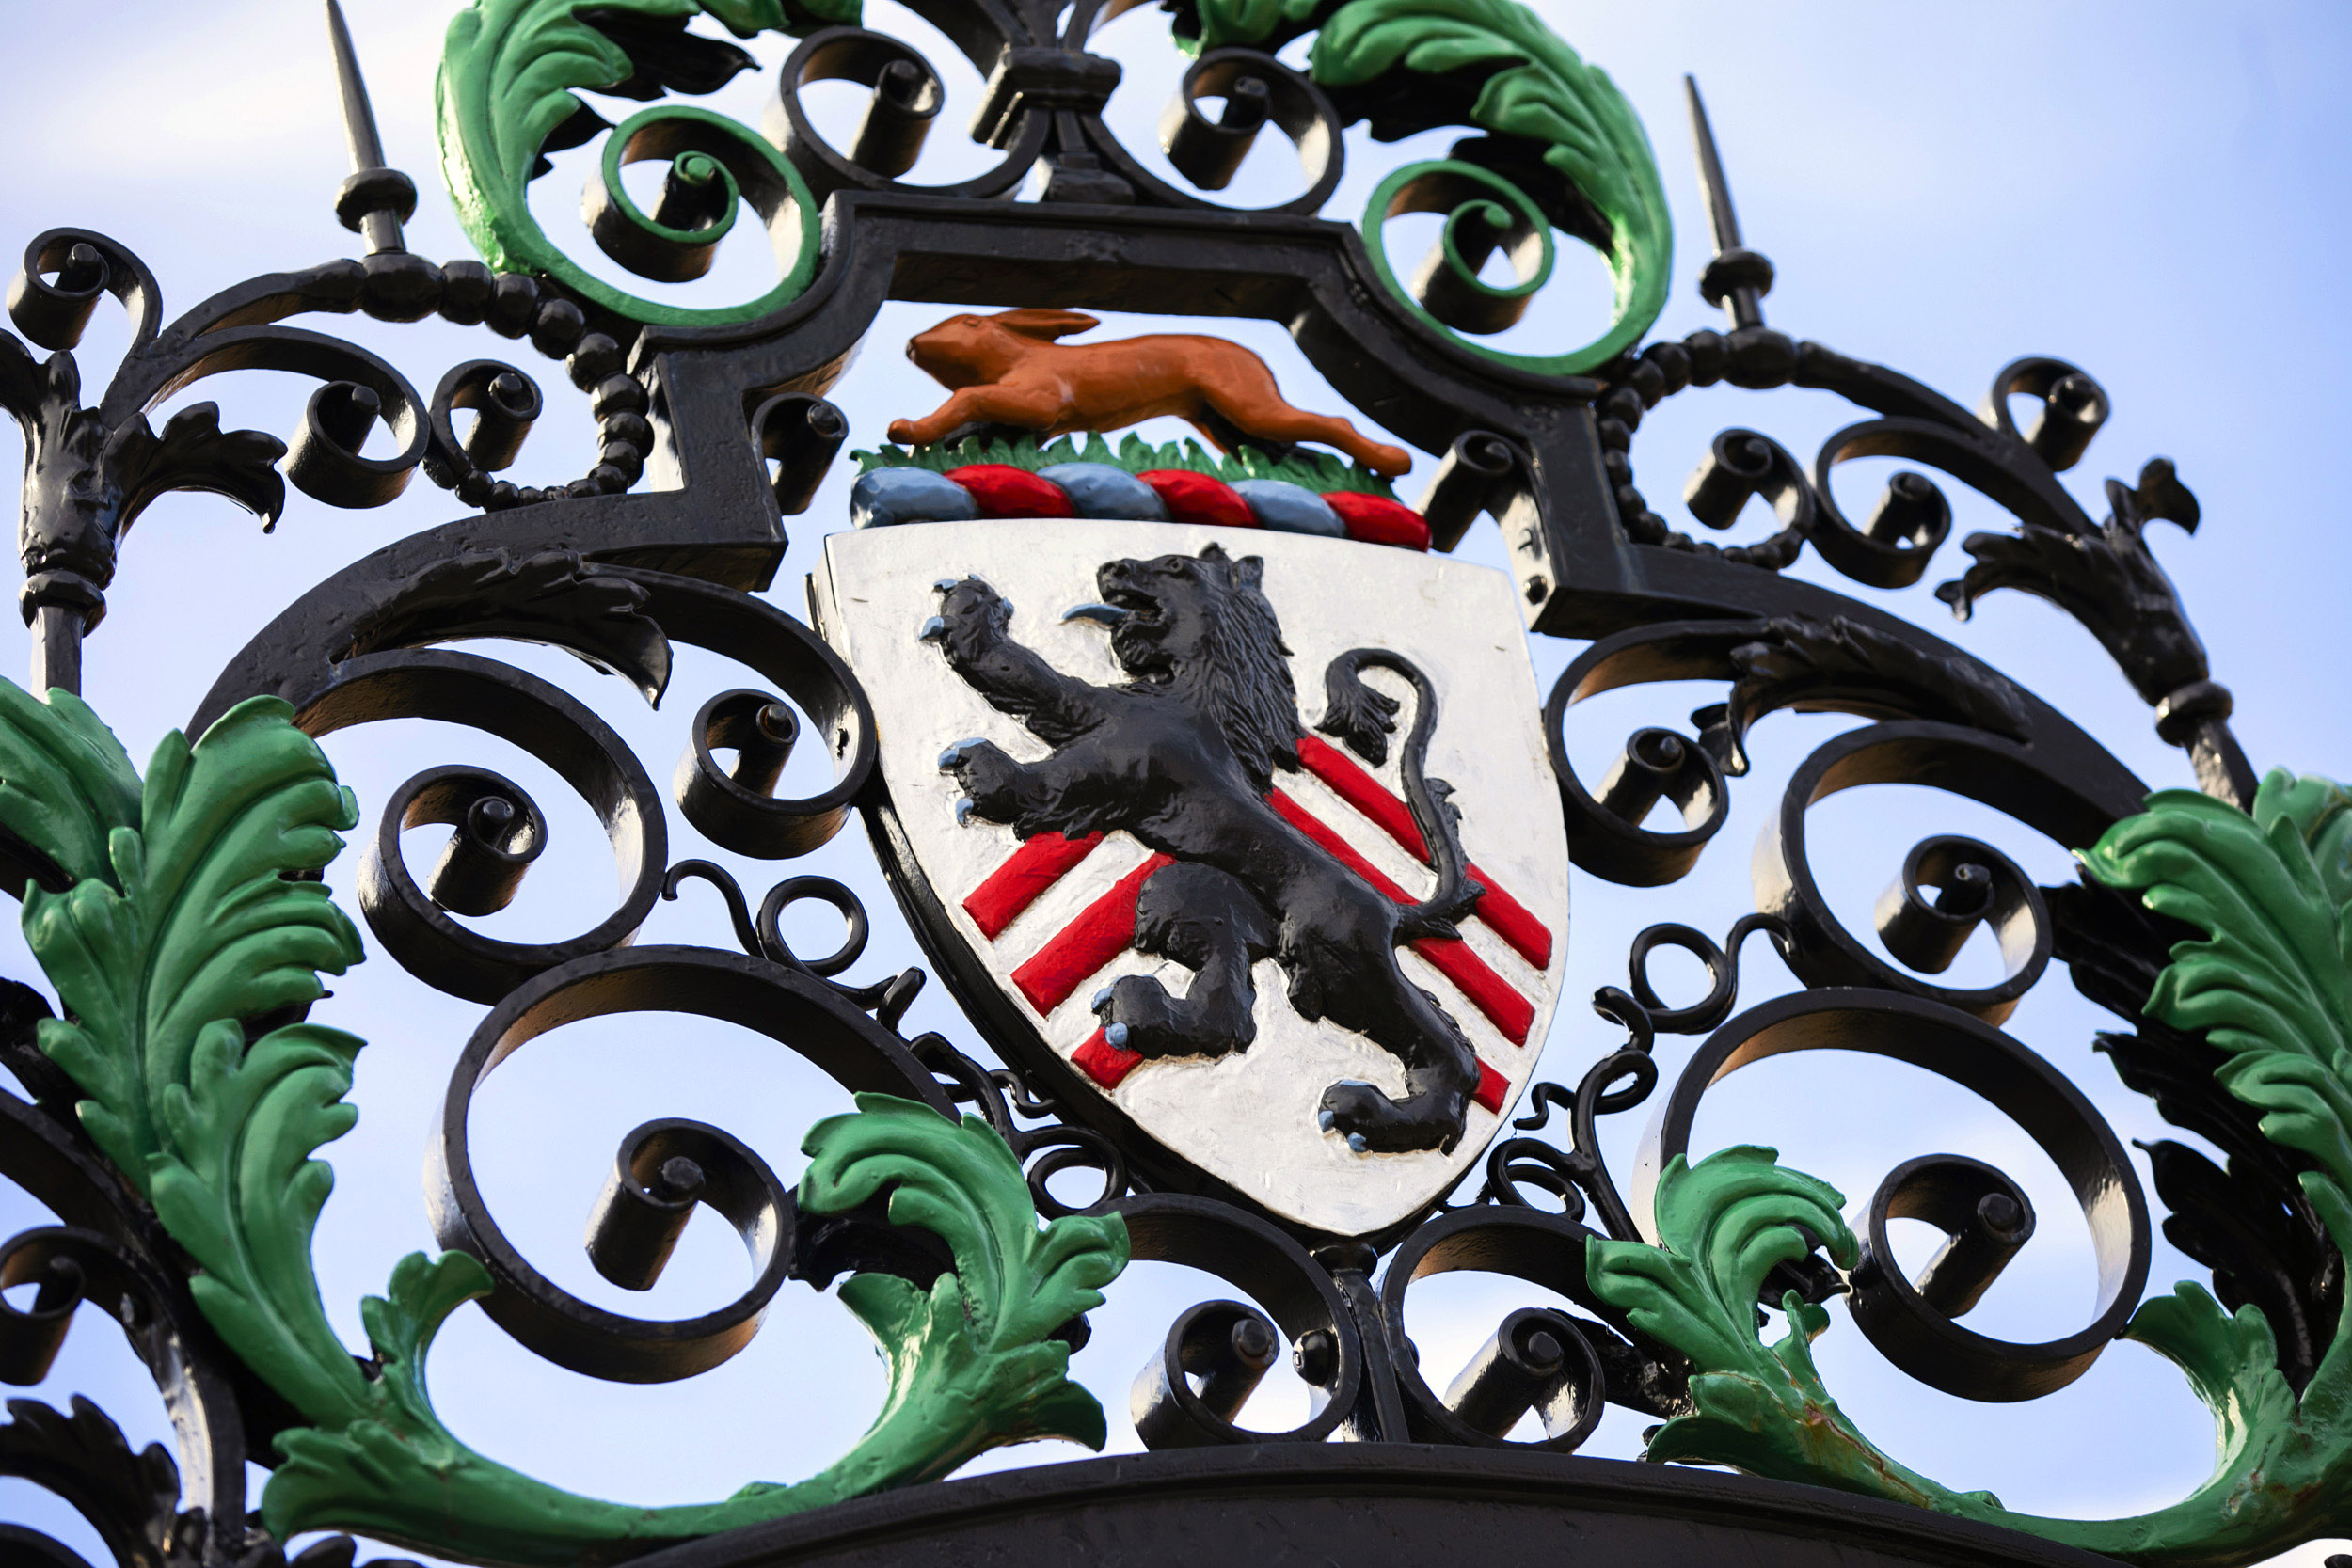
x=970 y=1365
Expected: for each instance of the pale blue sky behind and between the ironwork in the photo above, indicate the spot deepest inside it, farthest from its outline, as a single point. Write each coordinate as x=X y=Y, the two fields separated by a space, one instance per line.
x=2151 y=192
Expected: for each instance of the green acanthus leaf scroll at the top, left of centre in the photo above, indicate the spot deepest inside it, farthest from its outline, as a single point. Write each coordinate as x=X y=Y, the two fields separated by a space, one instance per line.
x=507 y=93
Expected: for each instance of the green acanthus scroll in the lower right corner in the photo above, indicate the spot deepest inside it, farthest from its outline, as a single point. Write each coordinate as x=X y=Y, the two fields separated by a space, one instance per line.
x=2271 y=989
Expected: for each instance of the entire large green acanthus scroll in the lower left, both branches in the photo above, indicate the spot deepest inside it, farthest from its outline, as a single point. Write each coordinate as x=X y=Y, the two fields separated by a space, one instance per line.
x=194 y=909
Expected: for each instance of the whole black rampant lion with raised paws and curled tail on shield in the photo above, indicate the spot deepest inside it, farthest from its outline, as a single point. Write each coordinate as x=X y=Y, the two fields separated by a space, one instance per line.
x=1182 y=756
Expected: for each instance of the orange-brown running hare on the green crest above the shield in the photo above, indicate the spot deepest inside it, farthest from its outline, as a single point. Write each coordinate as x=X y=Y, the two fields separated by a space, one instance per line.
x=1008 y=370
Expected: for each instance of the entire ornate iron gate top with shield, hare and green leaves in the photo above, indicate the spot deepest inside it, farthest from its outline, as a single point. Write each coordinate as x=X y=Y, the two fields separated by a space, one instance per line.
x=1217 y=793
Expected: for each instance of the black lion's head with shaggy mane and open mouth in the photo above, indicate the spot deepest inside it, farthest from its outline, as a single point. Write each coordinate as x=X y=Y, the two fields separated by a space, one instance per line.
x=1201 y=626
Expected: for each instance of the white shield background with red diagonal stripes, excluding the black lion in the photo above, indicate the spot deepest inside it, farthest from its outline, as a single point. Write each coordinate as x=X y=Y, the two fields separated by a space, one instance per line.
x=1045 y=918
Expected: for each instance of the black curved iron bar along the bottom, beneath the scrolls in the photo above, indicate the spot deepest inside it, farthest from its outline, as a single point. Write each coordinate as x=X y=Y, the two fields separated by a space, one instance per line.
x=1321 y=1506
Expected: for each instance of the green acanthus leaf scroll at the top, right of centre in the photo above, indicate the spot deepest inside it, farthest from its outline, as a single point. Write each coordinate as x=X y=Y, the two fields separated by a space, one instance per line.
x=1528 y=88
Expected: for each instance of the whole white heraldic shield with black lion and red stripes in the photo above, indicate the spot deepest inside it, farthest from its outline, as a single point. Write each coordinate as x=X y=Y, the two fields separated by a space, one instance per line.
x=1248 y=840
